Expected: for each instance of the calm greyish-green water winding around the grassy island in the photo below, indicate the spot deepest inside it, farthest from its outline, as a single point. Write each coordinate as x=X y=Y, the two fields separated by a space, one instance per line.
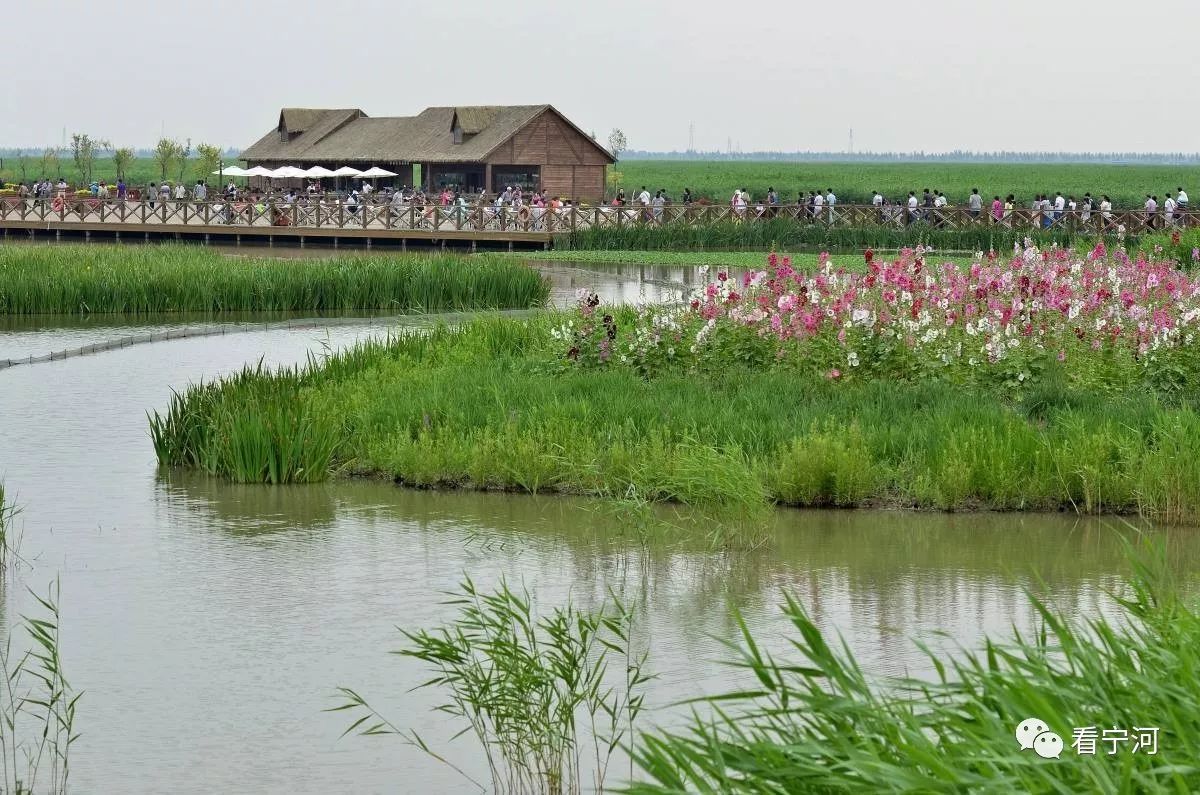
x=208 y=624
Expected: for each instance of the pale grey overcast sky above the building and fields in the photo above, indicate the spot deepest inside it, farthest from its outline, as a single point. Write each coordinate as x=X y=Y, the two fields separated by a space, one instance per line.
x=1023 y=75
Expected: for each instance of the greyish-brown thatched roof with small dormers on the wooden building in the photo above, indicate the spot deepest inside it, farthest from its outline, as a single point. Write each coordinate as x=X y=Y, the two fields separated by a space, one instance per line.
x=341 y=136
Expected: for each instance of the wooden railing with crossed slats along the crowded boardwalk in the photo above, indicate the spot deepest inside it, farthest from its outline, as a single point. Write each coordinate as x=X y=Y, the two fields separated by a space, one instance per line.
x=487 y=218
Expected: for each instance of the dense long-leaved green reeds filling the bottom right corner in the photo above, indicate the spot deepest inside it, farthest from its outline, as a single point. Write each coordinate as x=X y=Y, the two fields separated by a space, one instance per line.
x=819 y=725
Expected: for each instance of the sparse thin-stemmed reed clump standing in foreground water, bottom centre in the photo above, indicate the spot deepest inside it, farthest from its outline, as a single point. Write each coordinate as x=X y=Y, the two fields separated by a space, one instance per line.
x=545 y=697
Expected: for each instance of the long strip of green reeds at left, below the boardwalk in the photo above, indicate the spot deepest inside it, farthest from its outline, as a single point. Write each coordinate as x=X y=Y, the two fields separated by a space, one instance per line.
x=135 y=280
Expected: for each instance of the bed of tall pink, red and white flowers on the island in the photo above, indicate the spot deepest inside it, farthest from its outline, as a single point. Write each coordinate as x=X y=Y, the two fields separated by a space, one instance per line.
x=1111 y=320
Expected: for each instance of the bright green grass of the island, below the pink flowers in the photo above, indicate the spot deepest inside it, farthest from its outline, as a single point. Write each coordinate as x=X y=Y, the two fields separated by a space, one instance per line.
x=490 y=407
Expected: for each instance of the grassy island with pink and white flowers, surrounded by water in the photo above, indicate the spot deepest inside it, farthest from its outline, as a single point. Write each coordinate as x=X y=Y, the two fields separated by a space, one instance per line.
x=1054 y=381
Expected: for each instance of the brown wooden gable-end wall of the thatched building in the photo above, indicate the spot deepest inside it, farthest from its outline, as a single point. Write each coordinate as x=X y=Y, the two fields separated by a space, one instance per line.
x=571 y=165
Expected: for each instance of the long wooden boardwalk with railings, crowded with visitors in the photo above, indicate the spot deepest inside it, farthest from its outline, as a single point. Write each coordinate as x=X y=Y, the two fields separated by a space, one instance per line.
x=471 y=226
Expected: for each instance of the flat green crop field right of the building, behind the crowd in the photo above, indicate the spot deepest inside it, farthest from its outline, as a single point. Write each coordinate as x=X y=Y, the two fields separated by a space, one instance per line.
x=854 y=183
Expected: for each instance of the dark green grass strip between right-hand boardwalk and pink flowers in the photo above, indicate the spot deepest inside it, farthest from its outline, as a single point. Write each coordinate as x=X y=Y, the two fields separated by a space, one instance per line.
x=785 y=232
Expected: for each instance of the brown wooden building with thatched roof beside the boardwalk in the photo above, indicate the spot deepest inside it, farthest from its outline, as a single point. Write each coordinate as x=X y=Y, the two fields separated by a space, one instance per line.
x=475 y=147
